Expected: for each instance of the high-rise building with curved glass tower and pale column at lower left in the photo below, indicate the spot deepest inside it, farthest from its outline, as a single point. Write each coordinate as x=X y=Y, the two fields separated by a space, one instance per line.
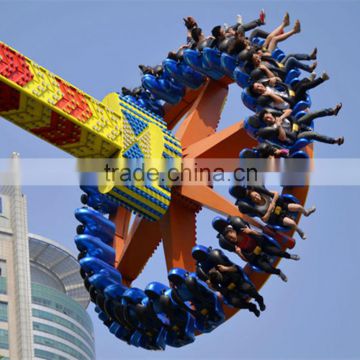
x=42 y=298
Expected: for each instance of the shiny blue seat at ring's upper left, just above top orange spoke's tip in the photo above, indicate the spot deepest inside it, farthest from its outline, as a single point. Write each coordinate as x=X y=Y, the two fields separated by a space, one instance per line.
x=183 y=74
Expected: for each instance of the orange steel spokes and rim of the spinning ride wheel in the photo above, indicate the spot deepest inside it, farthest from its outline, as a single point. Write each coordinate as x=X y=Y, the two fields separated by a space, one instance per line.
x=177 y=229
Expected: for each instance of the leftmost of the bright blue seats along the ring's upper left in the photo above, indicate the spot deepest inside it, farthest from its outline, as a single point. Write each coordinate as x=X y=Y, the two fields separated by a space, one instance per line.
x=164 y=89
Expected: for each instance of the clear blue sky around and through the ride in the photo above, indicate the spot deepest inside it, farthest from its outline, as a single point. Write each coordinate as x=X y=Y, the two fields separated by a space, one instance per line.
x=97 y=45
